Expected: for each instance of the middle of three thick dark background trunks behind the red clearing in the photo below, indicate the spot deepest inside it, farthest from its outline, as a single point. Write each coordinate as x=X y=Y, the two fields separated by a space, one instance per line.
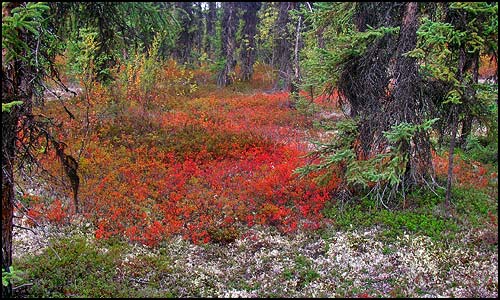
x=250 y=10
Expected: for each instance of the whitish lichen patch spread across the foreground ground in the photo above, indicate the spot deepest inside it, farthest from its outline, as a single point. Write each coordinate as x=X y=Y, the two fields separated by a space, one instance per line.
x=265 y=263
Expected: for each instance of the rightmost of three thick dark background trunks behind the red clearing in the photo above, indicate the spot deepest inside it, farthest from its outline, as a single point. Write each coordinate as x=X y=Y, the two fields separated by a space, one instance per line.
x=283 y=47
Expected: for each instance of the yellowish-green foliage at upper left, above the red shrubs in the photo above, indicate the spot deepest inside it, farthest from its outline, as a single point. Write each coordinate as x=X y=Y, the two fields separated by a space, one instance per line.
x=114 y=31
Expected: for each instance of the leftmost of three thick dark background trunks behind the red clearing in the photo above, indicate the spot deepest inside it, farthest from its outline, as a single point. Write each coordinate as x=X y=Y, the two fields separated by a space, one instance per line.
x=229 y=22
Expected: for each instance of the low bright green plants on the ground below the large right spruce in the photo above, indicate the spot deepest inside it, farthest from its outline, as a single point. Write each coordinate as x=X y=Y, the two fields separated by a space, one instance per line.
x=472 y=208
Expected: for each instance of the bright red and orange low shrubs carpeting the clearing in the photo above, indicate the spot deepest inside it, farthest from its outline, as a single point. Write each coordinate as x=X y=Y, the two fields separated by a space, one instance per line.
x=203 y=167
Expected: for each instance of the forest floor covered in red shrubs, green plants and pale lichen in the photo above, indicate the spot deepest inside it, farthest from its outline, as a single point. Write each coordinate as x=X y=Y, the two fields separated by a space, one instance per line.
x=194 y=195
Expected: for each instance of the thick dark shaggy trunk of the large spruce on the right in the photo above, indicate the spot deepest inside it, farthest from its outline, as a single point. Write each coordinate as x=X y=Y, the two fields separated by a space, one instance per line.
x=383 y=88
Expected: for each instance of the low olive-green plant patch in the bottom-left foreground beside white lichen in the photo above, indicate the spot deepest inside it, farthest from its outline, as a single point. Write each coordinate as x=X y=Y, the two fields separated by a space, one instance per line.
x=86 y=269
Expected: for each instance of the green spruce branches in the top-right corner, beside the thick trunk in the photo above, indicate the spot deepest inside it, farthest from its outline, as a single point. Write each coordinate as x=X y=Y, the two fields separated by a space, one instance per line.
x=473 y=31
